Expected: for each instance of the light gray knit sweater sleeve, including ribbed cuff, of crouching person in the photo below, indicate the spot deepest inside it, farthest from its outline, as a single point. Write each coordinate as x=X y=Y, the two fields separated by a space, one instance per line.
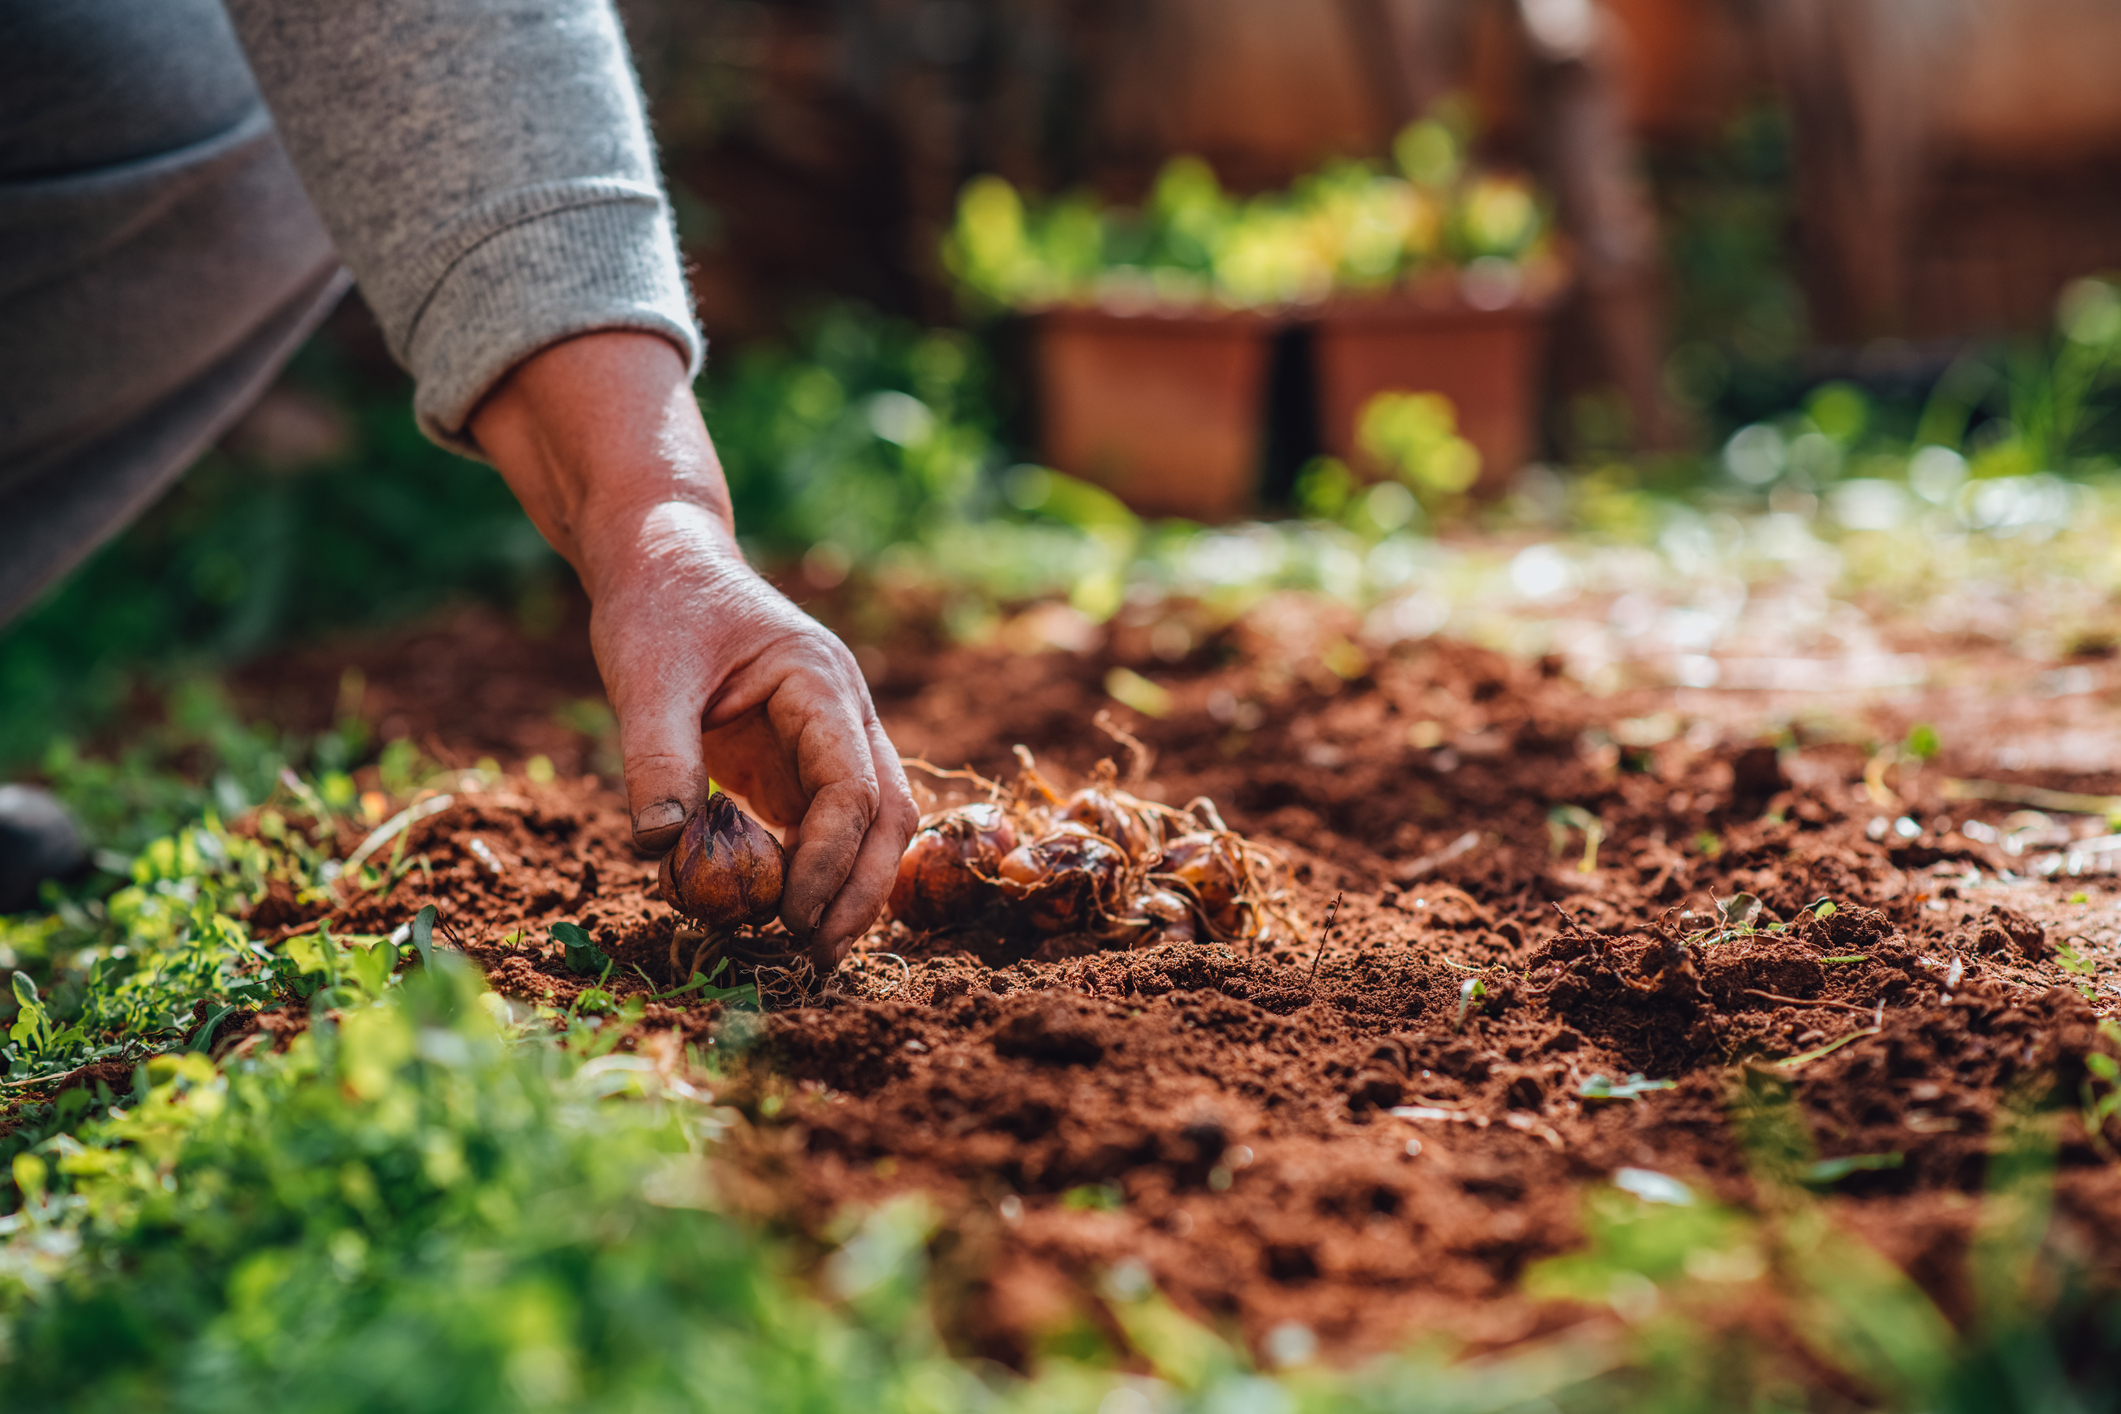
x=485 y=169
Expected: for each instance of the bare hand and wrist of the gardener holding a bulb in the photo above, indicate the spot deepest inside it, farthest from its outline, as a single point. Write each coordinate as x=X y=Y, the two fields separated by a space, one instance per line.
x=709 y=669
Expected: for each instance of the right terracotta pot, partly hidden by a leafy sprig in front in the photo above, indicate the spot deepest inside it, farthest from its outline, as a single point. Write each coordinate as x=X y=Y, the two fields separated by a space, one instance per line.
x=1486 y=361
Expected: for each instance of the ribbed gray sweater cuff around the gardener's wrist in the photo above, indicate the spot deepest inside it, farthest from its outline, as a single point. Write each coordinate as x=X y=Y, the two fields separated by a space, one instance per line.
x=606 y=264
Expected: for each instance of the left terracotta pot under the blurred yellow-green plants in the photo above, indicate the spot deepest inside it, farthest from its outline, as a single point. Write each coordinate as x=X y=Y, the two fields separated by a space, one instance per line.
x=1163 y=410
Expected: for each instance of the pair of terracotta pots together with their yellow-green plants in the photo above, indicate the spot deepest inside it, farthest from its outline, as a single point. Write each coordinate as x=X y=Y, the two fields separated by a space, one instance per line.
x=1153 y=325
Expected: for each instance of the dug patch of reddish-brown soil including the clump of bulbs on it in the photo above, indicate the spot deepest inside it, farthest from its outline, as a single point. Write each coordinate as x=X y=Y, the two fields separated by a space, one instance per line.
x=1115 y=1017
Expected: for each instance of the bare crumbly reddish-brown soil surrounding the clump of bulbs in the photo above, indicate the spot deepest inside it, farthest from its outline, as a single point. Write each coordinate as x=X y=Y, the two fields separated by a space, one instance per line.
x=1223 y=1112
